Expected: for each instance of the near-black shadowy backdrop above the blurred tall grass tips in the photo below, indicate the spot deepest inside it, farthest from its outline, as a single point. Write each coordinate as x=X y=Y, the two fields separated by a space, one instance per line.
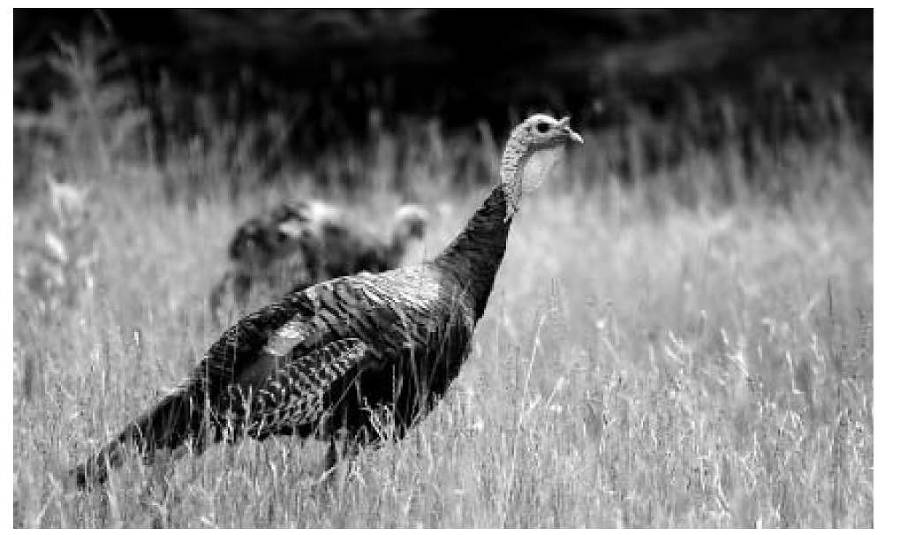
x=473 y=63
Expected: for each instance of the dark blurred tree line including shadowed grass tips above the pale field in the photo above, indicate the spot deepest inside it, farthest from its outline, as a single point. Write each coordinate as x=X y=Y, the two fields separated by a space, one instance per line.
x=309 y=79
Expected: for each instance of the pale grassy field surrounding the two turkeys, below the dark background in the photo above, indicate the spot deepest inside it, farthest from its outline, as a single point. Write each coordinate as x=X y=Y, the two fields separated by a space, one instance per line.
x=652 y=356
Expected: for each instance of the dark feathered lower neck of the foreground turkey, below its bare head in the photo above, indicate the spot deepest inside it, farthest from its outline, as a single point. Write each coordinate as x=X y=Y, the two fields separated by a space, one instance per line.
x=475 y=255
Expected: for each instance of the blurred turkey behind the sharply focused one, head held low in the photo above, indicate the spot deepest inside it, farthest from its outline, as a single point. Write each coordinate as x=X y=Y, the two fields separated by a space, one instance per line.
x=300 y=243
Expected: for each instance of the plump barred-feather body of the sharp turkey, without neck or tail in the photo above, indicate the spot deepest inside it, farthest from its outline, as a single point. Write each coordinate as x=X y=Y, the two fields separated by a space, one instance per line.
x=401 y=338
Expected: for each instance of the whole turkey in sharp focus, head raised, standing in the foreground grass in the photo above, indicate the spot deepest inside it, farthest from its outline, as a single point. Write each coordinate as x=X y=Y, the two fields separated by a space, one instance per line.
x=330 y=360
